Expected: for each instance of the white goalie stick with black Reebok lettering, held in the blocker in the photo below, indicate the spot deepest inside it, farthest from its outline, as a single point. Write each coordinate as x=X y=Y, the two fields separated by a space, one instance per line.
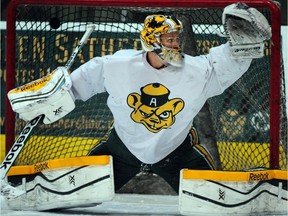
x=24 y=134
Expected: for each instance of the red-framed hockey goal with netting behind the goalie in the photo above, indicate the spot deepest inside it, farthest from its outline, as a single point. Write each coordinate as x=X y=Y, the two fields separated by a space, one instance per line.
x=249 y=118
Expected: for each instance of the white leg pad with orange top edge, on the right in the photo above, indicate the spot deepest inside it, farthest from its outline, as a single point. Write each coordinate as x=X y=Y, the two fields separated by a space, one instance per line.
x=232 y=197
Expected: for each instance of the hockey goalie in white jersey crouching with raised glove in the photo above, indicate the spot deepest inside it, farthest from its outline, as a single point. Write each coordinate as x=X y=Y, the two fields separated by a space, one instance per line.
x=154 y=95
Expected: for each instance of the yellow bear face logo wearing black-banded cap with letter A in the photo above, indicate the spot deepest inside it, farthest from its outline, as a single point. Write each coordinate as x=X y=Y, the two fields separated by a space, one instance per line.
x=153 y=109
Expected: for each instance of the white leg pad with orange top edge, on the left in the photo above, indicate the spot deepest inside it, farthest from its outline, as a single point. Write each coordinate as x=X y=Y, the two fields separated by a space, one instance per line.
x=66 y=187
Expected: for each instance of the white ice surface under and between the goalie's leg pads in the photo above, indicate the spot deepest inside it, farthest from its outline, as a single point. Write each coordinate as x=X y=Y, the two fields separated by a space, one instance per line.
x=122 y=204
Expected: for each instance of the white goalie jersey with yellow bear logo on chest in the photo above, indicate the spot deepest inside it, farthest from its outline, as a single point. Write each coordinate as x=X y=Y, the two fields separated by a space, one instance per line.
x=153 y=109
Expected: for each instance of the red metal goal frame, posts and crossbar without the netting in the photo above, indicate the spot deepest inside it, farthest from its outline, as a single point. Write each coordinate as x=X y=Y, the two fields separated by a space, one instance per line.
x=275 y=66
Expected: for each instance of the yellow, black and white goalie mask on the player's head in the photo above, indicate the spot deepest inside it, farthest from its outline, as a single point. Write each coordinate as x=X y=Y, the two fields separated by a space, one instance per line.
x=154 y=27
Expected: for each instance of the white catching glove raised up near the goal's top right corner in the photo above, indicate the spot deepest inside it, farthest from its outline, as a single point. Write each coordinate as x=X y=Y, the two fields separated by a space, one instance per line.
x=247 y=30
